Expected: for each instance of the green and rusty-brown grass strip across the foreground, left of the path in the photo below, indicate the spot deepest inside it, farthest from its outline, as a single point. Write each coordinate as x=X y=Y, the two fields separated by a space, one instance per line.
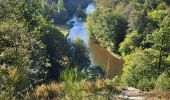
x=75 y=84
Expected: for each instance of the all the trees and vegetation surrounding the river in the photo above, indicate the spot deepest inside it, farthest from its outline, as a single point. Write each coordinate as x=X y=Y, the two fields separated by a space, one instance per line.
x=38 y=62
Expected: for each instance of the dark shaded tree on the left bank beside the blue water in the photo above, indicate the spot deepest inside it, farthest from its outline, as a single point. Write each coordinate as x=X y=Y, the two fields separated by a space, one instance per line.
x=58 y=50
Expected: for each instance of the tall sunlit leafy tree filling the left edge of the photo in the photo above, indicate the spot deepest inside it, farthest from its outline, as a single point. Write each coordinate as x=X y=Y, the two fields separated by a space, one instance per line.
x=23 y=23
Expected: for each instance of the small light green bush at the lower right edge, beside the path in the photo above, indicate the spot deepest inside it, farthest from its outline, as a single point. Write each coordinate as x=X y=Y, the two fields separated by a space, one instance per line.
x=163 y=81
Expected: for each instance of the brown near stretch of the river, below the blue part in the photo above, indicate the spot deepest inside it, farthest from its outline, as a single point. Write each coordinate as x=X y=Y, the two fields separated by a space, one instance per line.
x=101 y=57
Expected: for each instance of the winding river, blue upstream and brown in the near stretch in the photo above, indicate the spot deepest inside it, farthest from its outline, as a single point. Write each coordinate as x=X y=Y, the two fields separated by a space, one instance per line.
x=99 y=56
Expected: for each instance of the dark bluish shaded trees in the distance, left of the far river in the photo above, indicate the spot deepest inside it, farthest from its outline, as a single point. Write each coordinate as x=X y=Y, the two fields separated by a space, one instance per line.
x=68 y=9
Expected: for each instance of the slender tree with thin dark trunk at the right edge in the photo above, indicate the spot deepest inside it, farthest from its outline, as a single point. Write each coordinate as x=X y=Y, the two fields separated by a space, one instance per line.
x=160 y=39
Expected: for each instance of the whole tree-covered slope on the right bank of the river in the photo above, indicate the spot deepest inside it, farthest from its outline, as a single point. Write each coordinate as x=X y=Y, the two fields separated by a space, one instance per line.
x=138 y=30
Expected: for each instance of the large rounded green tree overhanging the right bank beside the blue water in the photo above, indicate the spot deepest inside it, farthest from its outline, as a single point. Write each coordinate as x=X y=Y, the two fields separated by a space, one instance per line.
x=108 y=29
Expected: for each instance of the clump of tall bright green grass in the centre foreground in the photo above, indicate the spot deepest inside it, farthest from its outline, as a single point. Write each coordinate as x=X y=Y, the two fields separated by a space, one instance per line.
x=73 y=79
